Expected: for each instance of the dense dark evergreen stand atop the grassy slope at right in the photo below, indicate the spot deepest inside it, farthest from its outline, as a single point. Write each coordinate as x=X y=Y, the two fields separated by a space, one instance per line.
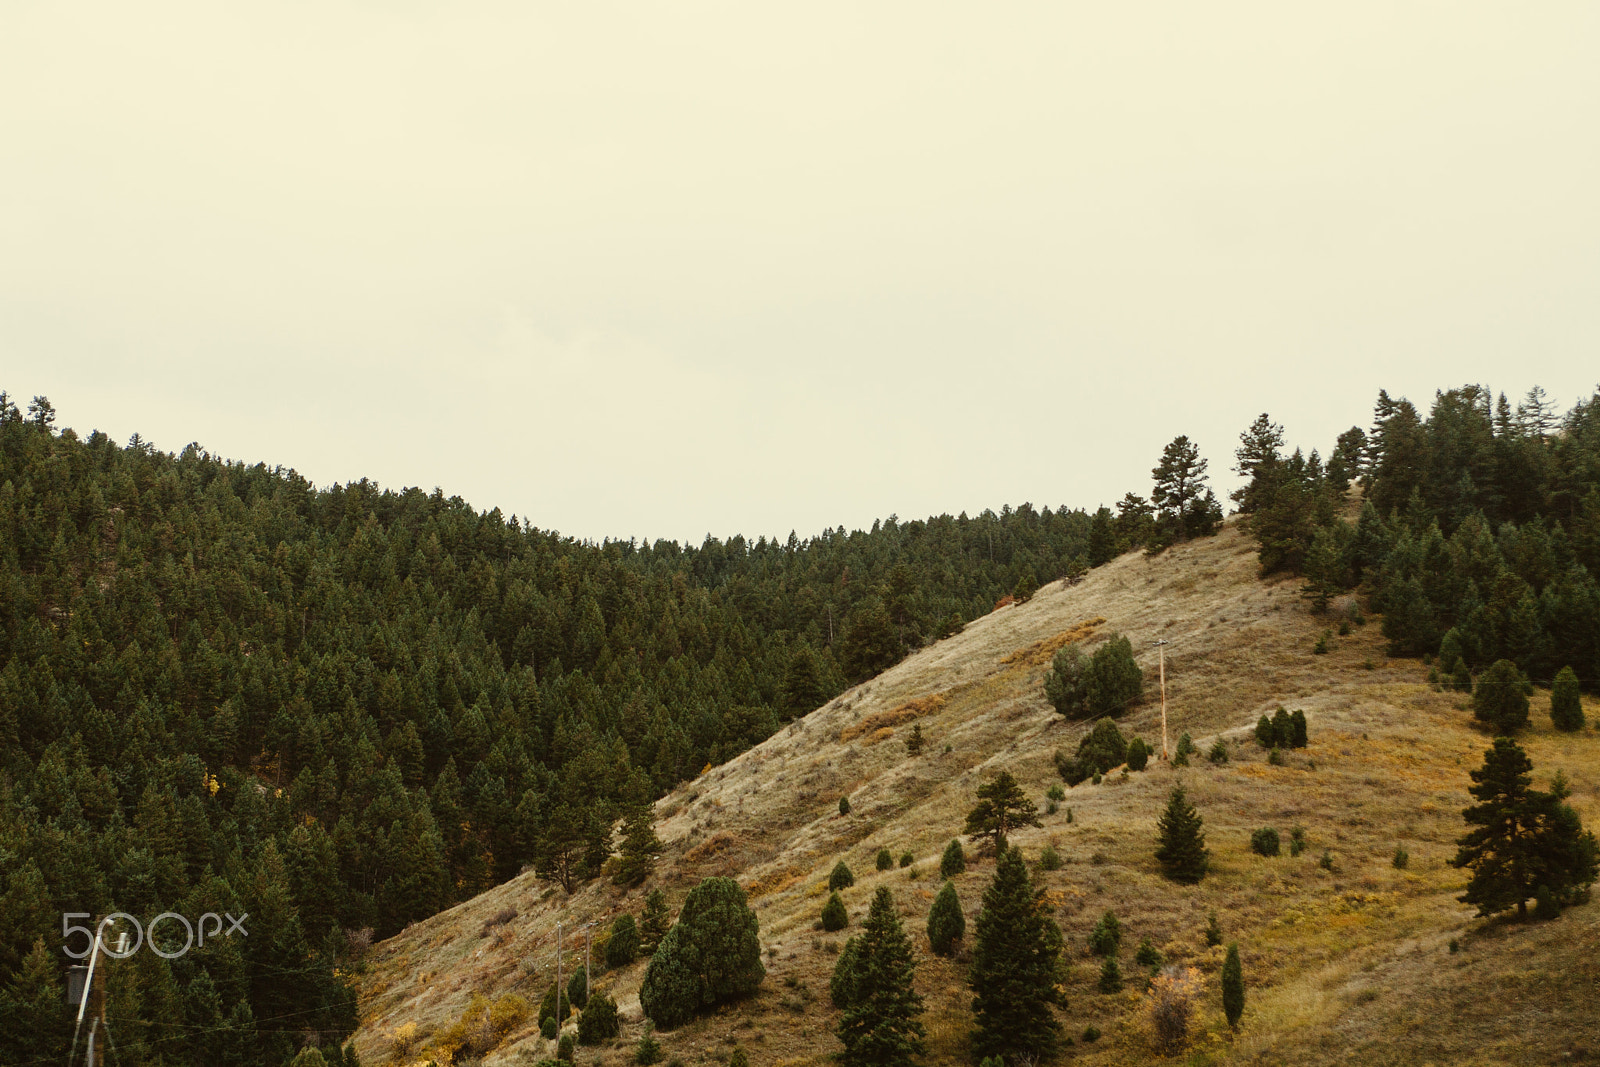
x=1479 y=537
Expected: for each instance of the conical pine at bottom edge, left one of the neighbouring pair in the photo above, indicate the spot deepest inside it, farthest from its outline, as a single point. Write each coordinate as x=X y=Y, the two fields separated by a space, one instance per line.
x=882 y=1028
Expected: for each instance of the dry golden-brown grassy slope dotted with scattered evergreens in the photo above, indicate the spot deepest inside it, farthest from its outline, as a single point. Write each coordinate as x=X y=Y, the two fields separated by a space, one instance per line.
x=1343 y=965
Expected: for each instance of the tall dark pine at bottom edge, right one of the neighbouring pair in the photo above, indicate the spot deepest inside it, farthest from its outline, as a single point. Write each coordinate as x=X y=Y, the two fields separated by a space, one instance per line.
x=1015 y=972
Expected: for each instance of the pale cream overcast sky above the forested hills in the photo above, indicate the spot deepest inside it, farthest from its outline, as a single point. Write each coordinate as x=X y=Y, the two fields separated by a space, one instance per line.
x=689 y=268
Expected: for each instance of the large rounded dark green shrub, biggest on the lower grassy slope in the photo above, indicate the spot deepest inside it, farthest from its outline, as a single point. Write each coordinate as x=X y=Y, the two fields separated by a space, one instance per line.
x=711 y=956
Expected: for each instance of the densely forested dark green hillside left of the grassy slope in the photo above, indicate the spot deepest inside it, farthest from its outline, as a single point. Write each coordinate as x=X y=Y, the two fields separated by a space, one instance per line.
x=343 y=709
